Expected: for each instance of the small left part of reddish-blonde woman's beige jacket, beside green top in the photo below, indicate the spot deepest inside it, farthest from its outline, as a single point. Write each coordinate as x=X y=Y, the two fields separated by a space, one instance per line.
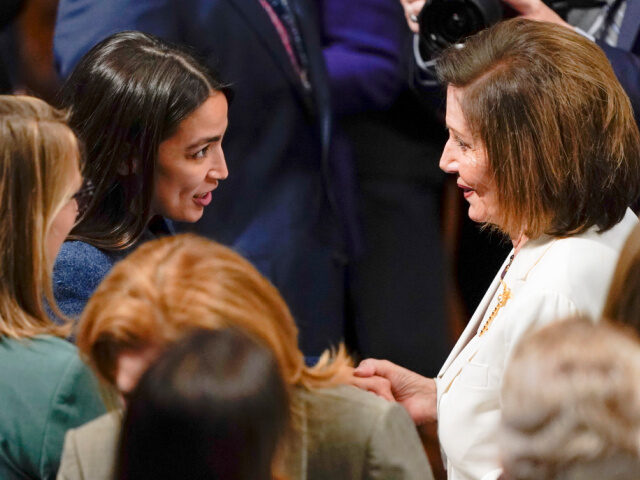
x=90 y=450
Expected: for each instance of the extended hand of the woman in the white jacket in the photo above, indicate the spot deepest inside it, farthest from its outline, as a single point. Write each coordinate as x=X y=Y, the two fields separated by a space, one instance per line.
x=417 y=394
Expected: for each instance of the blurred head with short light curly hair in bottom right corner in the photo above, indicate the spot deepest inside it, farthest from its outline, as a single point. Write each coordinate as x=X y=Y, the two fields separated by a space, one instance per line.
x=571 y=404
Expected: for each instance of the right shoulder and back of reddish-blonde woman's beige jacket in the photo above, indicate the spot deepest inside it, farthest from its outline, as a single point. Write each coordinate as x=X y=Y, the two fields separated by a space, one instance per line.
x=353 y=433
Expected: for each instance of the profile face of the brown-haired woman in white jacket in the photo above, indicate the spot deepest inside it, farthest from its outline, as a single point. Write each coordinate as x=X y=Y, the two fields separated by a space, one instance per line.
x=465 y=157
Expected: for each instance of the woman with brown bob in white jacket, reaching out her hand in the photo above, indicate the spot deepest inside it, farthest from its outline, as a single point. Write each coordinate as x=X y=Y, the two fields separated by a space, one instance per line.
x=545 y=149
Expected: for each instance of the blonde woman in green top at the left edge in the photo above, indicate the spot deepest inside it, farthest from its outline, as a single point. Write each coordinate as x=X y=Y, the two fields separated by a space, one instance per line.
x=45 y=388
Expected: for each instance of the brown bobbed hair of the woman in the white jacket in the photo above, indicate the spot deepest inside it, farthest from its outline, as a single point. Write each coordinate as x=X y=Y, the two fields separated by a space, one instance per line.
x=558 y=129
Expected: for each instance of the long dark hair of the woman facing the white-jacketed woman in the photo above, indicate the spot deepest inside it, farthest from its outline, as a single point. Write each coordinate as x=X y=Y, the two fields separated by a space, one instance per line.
x=127 y=95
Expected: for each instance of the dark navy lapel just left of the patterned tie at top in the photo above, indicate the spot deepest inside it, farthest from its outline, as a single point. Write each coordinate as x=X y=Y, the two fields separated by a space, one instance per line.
x=259 y=20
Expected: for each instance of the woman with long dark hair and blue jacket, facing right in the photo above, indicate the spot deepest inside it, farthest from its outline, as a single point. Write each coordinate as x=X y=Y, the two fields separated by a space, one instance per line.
x=152 y=121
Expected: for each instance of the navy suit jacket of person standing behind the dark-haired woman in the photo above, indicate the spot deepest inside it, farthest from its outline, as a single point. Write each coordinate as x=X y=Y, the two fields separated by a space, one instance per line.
x=280 y=205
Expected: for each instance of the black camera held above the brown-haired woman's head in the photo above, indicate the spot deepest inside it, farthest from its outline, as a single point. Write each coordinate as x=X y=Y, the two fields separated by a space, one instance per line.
x=446 y=22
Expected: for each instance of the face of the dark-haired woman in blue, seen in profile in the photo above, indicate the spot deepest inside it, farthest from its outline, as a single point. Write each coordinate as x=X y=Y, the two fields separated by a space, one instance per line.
x=191 y=163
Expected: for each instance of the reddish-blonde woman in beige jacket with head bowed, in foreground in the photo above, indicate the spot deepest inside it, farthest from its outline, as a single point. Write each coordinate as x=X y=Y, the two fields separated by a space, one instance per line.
x=171 y=286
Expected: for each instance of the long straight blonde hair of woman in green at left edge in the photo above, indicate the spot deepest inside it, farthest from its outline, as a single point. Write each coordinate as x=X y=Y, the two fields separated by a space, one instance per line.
x=39 y=154
